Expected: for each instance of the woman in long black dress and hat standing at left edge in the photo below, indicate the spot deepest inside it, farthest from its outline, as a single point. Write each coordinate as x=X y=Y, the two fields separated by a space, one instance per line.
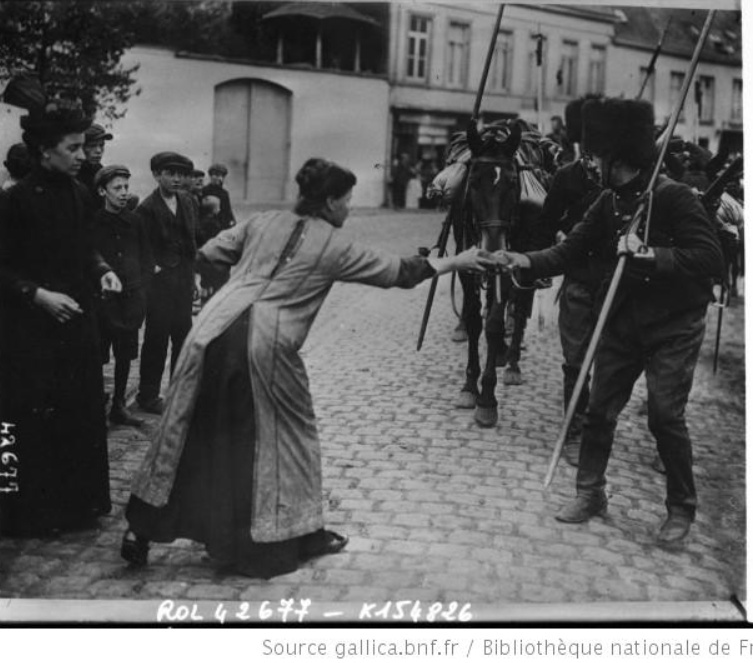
x=54 y=471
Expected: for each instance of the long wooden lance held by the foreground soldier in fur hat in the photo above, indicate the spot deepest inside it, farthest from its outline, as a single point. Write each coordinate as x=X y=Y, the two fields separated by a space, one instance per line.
x=643 y=207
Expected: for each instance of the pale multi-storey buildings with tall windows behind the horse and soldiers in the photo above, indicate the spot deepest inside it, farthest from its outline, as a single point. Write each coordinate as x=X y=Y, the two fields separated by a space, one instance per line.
x=544 y=57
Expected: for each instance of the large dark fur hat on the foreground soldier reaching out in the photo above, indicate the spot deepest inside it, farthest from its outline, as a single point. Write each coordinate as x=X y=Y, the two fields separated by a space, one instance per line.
x=620 y=129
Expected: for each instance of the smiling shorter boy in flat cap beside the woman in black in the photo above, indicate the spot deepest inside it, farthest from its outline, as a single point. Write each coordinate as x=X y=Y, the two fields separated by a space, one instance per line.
x=120 y=237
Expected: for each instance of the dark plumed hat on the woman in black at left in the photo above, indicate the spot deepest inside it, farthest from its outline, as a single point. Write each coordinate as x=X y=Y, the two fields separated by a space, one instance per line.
x=48 y=119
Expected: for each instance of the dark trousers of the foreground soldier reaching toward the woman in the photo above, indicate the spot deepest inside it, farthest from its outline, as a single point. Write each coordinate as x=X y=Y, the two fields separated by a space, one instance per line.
x=668 y=352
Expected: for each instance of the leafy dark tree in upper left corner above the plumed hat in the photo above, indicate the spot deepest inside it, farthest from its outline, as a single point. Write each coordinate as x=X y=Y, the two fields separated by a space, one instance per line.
x=75 y=48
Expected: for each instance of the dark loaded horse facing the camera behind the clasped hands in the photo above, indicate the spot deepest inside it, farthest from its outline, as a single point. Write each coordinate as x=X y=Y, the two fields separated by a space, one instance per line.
x=496 y=203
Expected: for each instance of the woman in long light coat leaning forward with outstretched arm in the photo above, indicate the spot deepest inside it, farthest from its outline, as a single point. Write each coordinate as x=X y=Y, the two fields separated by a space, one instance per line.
x=236 y=462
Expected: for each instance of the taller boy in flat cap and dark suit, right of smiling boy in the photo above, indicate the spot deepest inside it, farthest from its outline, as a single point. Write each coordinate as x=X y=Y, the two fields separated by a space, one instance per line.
x=170 y=217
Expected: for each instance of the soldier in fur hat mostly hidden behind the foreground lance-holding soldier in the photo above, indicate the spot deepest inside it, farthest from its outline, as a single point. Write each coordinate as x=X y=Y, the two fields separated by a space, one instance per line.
x=573 y=190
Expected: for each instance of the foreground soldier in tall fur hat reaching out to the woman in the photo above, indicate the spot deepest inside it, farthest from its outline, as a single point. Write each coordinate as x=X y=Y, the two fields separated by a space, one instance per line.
x=657 y=321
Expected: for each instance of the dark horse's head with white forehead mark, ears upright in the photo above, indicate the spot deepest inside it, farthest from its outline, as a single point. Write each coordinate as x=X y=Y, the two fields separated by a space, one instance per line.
x=493 y=185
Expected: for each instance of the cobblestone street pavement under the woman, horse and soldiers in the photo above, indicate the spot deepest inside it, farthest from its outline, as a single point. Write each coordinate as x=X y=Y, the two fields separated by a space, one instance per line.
x=438 y=509
